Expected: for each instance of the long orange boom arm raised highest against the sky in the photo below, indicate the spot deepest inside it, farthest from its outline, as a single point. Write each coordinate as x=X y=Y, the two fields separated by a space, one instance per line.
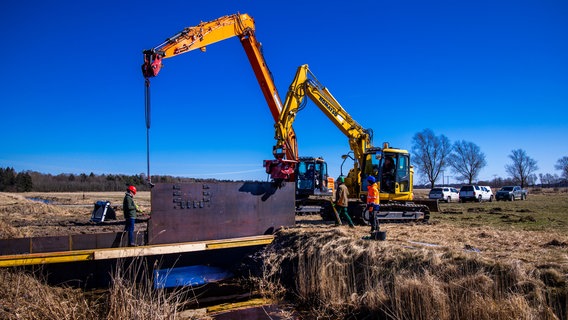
x=206 y=33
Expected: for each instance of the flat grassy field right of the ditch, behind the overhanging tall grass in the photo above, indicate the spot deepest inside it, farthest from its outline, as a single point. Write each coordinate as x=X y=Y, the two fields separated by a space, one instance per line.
x=533 y=231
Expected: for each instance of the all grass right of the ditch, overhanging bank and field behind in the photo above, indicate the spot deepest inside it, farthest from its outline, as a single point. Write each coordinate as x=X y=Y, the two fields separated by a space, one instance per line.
x=499 y=260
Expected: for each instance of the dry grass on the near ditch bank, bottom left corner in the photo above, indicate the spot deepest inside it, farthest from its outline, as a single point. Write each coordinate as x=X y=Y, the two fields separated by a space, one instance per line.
x=131 y=296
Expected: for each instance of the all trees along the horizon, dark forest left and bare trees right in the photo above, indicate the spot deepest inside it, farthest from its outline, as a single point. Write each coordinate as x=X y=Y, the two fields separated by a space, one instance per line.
x=432 y=155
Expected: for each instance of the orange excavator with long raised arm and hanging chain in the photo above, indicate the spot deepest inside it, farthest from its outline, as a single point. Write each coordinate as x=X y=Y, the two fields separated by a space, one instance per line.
x=312 y=171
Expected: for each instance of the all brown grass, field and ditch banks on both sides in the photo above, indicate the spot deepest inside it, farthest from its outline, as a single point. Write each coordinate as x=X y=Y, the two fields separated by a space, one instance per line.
x=491 y=260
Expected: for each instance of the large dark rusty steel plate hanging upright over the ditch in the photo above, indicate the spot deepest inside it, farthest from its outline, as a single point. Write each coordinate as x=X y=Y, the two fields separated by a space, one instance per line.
x=218 y=210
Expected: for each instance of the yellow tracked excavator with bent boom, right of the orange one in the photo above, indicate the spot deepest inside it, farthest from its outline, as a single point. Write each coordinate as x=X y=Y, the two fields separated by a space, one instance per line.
x=390 y=167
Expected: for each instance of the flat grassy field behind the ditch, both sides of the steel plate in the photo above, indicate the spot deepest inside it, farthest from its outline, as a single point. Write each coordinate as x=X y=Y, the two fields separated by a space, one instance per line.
x=535 y=230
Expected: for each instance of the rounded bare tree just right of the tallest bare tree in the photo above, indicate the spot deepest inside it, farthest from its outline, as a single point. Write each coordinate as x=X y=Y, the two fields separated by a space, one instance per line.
x=466 y=160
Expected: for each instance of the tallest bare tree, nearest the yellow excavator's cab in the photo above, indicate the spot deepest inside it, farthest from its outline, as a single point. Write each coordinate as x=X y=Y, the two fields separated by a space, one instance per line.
x=430 y=153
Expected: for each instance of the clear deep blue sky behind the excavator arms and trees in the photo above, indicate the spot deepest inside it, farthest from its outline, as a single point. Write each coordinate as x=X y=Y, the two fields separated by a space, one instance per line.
x=493 y=72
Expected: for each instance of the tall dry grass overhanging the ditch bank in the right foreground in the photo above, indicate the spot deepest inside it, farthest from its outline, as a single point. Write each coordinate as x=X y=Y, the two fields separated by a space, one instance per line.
x=330 y=274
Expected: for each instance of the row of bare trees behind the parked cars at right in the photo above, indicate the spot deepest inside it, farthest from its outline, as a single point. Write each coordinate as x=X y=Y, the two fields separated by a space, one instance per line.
x=435 y=153
